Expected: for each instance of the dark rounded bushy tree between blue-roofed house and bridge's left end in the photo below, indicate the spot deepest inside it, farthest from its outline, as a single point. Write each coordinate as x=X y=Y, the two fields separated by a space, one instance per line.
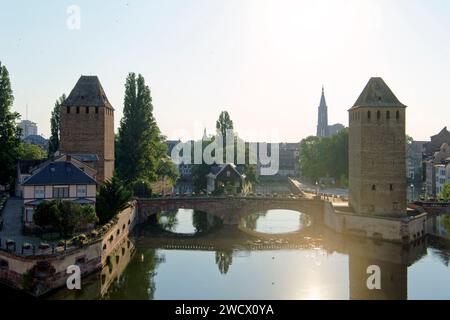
x=112 y=198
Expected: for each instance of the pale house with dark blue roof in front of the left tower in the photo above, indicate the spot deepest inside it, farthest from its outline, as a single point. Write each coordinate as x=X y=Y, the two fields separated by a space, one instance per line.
x=57 y=180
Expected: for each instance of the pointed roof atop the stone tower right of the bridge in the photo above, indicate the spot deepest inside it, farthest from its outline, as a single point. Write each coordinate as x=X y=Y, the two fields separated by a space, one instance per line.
x=377 y=94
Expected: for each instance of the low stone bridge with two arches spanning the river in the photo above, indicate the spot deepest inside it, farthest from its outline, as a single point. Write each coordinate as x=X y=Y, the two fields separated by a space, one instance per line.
x=230 y=209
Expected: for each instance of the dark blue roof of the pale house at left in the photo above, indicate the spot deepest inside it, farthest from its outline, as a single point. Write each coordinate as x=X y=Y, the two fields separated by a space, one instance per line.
x=59 y=173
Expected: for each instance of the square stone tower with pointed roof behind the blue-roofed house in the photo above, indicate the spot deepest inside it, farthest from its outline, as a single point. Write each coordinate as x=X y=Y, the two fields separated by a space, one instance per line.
x=87 y=125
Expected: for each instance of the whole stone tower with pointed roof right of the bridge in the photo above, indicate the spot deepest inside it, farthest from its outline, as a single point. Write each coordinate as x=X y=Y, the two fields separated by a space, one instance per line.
x=377 y=182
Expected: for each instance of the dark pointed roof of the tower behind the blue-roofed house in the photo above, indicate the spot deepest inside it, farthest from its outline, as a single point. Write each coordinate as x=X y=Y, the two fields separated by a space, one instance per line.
x=88 y=92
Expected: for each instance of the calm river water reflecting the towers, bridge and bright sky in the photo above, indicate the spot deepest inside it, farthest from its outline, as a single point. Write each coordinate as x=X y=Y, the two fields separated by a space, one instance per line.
x=273 y=255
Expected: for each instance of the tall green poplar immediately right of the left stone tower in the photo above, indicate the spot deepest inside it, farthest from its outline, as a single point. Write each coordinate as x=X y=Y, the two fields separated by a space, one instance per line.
x=141 y=148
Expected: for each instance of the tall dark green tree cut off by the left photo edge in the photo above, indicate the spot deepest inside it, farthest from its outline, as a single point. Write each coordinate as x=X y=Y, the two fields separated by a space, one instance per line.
x=9 y=131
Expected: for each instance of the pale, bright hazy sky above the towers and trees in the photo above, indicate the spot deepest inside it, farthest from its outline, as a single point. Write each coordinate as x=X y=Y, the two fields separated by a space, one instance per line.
x=264 y=61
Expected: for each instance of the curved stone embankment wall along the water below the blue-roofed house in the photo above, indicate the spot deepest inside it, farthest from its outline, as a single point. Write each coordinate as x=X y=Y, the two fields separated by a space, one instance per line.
x=41 y=274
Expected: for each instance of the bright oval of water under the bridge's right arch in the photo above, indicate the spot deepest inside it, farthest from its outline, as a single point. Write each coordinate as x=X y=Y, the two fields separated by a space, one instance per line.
x=276 y=221
